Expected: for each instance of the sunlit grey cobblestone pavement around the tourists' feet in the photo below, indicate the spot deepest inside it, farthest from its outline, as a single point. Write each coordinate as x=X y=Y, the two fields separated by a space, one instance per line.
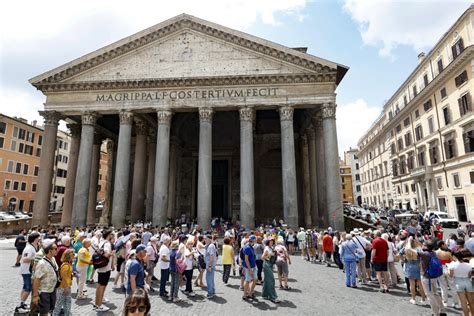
x=316 y=290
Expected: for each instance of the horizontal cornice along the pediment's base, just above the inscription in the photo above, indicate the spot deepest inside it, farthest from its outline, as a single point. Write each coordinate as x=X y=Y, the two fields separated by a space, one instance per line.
x=188 y=82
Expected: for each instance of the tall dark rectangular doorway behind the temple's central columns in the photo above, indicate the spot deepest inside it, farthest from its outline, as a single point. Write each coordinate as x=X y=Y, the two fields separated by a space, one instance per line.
x=220 y=188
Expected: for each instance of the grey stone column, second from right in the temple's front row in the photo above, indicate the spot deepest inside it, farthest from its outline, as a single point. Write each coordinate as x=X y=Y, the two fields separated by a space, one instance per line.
x=290 y=200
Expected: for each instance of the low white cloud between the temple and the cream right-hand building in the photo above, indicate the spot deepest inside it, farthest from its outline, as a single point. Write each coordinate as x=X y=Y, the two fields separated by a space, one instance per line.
x=353 y=120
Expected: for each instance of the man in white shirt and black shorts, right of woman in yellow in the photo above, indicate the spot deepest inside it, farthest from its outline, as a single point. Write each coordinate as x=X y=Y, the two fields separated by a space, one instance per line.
x=104 y=272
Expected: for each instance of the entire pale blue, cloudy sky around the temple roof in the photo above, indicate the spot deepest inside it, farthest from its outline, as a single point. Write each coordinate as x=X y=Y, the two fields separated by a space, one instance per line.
x=378 y=39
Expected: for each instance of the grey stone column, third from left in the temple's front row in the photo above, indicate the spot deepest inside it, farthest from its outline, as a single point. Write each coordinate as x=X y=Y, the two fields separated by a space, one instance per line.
x=122 y=170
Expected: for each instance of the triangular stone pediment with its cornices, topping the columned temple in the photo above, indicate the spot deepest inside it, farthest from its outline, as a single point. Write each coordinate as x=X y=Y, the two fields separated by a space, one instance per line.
x=188 y=47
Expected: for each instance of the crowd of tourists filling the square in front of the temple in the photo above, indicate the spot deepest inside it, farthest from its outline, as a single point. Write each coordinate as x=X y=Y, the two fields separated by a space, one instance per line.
x=438 y=271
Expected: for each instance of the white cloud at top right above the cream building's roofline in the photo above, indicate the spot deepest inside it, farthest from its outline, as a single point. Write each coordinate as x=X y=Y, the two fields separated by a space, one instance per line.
x=416 y=23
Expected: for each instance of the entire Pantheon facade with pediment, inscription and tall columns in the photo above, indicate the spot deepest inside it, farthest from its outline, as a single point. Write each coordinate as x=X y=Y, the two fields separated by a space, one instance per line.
x=198 y=119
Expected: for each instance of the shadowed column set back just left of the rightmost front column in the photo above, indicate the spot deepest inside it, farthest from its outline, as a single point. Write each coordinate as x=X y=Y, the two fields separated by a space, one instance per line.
x=320 y=170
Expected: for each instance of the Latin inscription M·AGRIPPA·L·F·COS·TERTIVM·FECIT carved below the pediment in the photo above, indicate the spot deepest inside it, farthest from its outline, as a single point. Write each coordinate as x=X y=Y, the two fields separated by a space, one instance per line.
x=187 y=94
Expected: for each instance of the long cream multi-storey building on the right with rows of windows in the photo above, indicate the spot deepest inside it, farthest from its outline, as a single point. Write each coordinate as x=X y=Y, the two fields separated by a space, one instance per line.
x=419 y=153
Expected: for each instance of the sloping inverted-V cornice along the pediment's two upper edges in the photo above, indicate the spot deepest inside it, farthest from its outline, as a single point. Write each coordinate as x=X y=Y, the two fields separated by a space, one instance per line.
x=186 y=22
